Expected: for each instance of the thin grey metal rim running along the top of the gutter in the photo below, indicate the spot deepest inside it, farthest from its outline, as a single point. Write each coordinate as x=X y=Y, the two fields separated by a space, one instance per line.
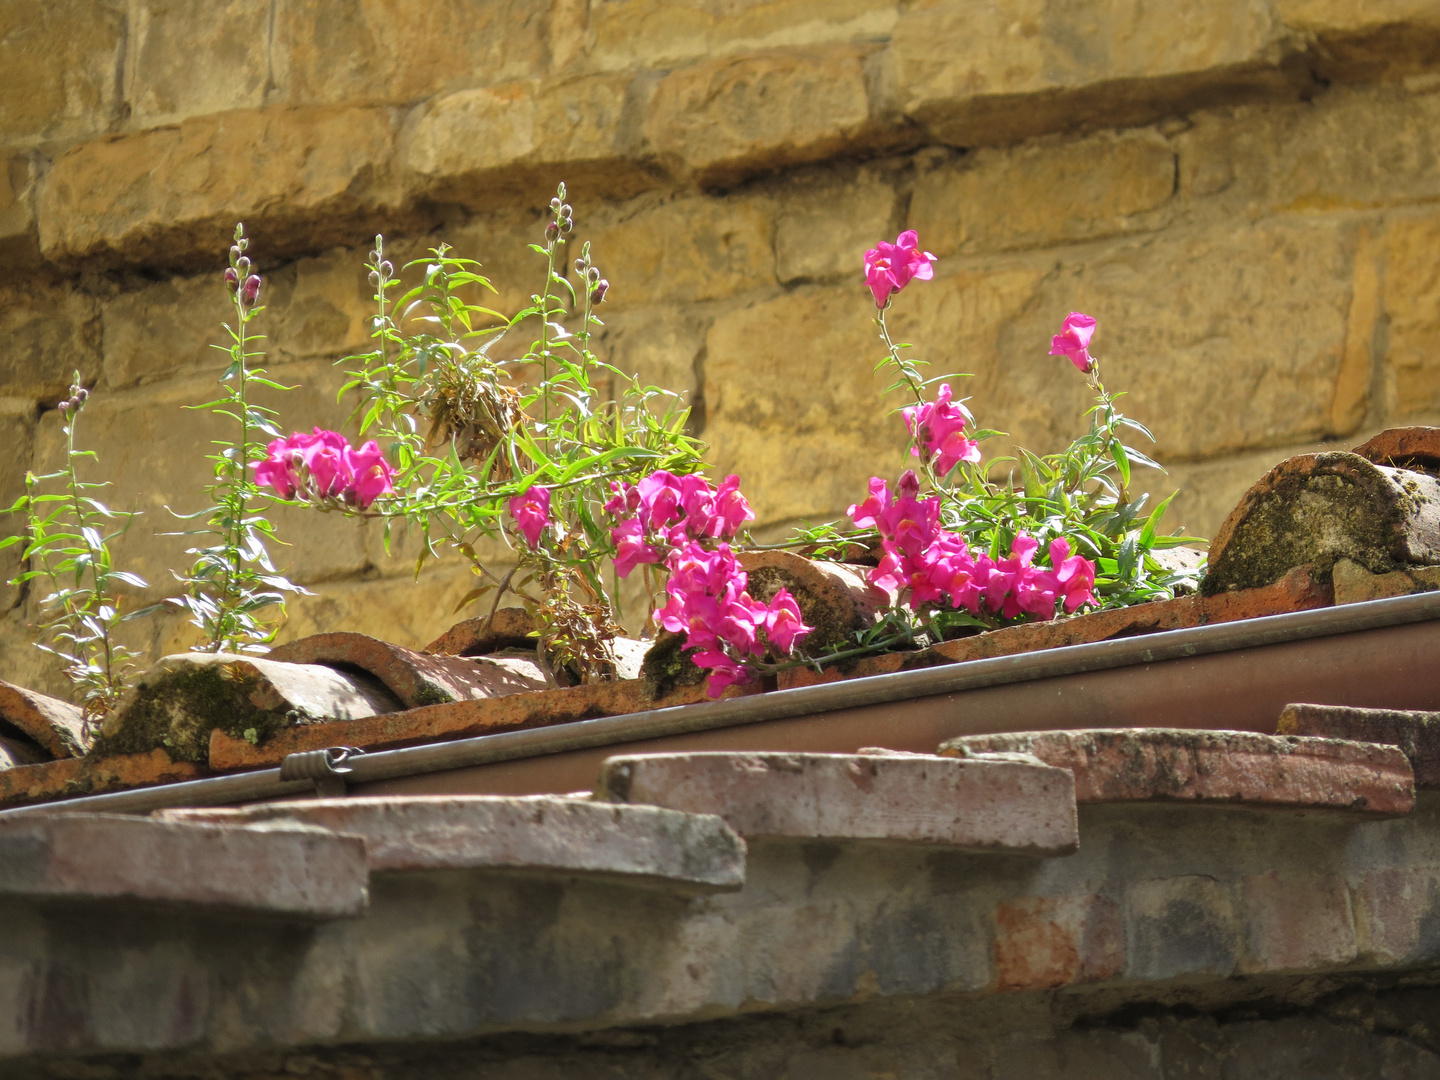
x=899 y=686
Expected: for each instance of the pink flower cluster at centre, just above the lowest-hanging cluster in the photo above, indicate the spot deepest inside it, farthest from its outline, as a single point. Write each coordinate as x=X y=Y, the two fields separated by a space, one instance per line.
x=663 y=513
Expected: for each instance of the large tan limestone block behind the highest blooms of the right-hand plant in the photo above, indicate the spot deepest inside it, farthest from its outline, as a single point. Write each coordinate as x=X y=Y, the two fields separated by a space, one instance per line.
x=1262 y=307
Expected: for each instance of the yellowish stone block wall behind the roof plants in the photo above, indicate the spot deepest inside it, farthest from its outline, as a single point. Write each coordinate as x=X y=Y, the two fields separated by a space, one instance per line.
x=1242 y=191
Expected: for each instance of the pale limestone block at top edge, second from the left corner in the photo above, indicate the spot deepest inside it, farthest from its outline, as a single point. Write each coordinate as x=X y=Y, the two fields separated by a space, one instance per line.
x=188 y=61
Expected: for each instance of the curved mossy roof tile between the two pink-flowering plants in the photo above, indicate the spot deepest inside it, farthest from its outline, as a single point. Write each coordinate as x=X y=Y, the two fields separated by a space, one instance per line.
x=833 y=598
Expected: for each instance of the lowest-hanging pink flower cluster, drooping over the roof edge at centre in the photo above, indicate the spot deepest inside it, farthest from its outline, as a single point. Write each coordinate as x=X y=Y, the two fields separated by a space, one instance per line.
x=721 y=621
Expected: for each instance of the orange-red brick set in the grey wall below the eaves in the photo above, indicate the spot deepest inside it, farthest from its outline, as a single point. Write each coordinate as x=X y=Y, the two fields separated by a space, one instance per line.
x=1062 y=941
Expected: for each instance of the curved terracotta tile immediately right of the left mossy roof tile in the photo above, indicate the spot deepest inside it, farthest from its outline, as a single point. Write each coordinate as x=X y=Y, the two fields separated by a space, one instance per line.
x=418 y=679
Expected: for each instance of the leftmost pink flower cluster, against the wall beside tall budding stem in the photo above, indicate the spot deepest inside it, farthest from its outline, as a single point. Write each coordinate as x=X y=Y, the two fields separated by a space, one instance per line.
x=326 y=466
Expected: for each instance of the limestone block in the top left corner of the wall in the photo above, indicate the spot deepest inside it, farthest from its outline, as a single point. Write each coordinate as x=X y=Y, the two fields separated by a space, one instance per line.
x=63 y=61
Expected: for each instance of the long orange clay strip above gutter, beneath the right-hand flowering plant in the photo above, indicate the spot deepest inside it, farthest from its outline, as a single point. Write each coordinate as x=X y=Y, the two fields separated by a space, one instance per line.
x=1298 y=591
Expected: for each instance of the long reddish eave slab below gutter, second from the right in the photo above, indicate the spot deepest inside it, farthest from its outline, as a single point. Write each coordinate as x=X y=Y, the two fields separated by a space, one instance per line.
x=1223 y=768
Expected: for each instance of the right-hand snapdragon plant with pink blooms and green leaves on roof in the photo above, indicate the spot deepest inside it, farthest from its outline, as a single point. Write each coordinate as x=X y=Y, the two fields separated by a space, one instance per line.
x=961 y=546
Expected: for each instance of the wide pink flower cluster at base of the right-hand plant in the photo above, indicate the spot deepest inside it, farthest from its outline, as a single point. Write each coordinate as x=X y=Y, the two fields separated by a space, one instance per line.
x=932 y=564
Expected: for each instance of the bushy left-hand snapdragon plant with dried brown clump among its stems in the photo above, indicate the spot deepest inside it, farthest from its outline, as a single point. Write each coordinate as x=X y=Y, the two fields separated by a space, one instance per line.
x=510 y=459
